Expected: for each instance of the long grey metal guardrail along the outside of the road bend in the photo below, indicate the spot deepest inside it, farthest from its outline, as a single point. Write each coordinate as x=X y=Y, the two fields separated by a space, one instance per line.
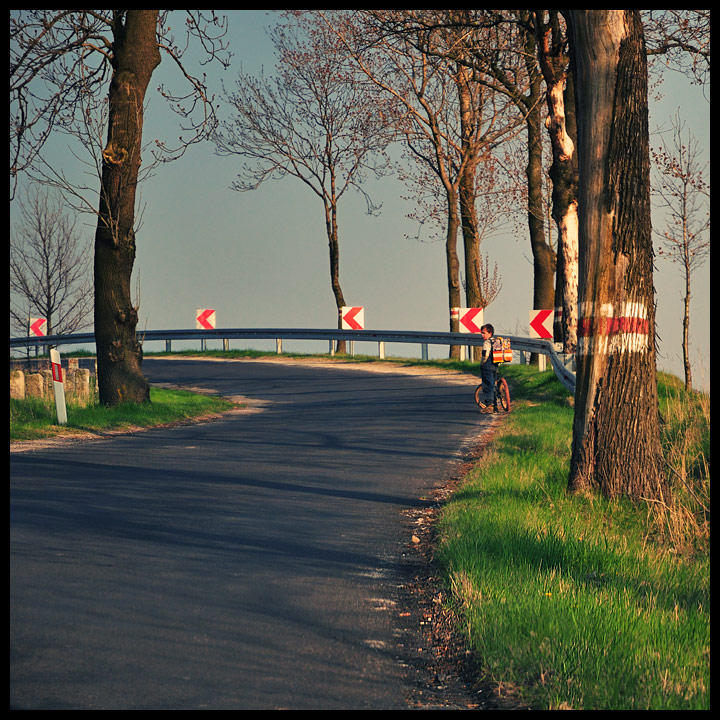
x=531 y=345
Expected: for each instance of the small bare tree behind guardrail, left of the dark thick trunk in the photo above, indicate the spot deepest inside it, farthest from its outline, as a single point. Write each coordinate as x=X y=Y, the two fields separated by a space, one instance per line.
x=49 y=268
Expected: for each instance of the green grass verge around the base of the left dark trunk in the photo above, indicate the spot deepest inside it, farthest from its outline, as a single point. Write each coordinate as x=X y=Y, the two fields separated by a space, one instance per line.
x=33 y=418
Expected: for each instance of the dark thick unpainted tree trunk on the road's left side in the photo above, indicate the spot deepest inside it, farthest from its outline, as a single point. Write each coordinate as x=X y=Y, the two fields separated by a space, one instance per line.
x=119 y=355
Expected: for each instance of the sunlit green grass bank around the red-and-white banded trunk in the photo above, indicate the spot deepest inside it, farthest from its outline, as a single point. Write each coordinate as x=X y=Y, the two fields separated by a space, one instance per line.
x=577 y=602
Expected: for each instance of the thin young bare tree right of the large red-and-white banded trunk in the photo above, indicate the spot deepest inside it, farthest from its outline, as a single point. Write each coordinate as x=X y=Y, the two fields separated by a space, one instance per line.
x=684 y=196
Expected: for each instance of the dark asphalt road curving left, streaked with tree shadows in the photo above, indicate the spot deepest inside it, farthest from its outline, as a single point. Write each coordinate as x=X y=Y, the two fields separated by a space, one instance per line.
x=244 y=563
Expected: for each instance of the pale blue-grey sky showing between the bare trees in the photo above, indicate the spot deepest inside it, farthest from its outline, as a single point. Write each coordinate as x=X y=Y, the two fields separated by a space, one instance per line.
x=260 y=258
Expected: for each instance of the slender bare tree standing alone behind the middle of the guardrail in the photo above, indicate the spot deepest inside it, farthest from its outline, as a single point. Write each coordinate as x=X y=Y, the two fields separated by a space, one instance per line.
x=313 y=122
